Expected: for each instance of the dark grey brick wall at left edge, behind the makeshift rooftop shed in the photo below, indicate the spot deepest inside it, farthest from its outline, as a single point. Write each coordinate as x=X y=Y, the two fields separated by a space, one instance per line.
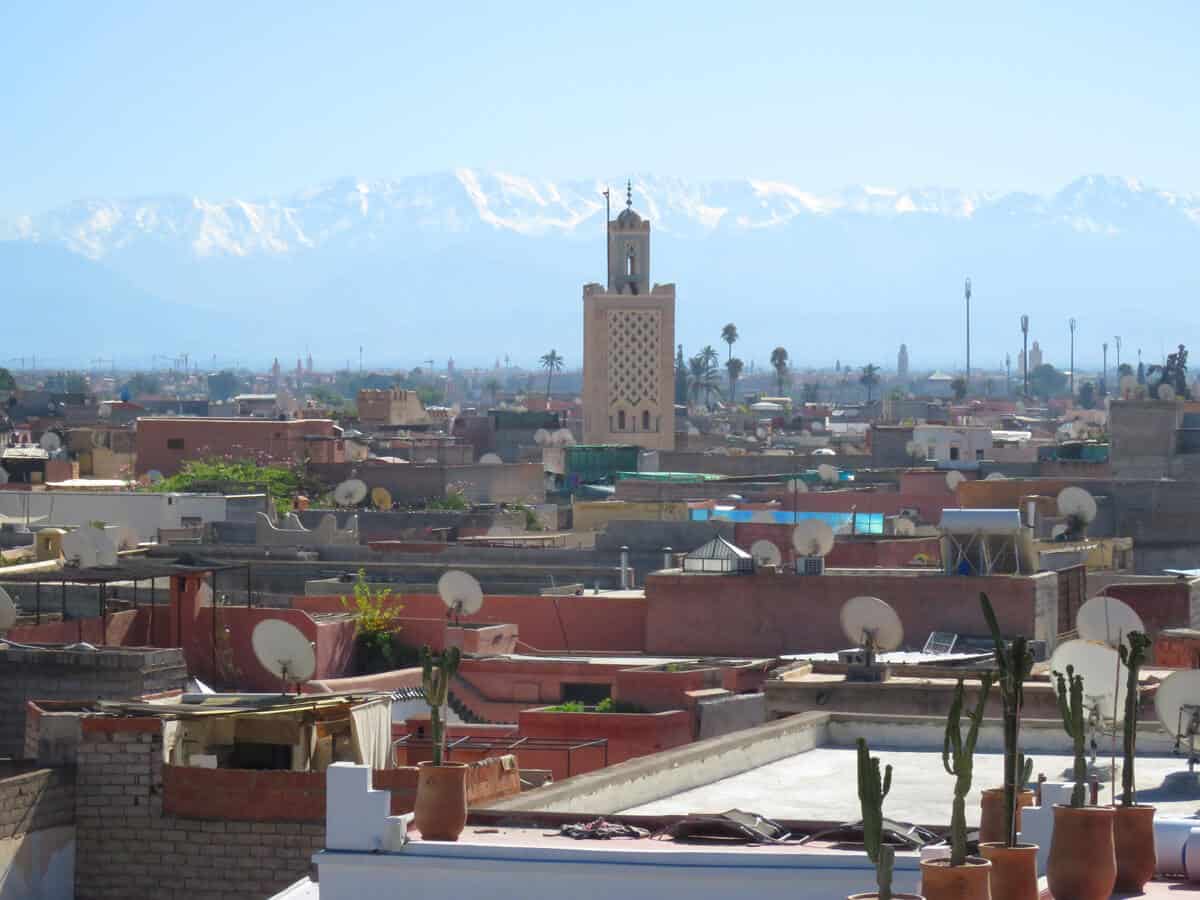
x=83 y=675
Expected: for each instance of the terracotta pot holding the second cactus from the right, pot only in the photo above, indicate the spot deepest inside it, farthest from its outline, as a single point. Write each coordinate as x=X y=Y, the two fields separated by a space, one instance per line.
x=1083 y=862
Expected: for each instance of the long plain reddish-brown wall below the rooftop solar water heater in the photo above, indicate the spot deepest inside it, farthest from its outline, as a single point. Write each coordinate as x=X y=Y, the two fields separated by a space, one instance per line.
x=766 y=615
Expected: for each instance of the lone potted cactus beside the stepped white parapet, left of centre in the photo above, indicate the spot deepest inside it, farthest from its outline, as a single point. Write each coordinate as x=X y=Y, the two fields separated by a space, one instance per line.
x=441 y=811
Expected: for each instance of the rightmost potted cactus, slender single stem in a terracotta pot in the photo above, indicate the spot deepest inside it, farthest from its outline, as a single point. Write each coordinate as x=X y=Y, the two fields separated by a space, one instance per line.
x=1133 y=827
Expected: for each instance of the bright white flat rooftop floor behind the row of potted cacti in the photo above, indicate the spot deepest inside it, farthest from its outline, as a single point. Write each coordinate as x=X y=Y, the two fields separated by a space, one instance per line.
x=821 y=784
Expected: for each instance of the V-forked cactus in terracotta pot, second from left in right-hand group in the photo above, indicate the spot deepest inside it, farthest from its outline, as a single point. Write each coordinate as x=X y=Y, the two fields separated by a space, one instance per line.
x=961 y=878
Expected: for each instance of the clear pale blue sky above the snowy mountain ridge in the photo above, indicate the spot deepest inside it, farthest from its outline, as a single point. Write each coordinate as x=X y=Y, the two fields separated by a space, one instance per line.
x=256 y=99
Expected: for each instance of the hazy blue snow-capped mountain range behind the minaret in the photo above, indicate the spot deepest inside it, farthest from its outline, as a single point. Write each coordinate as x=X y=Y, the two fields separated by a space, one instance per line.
x=484 y=263
